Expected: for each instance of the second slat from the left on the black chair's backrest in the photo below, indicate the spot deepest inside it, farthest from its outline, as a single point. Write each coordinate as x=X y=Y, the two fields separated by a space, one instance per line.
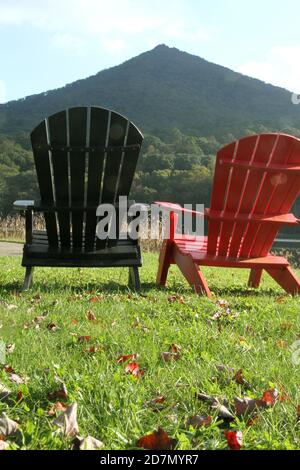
x=58 y=139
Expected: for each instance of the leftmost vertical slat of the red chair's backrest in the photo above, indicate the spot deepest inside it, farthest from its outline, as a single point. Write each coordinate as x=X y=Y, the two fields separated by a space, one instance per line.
x=220 y=185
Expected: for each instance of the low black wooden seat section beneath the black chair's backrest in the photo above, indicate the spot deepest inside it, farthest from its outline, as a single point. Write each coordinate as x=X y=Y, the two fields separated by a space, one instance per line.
x=123 y=253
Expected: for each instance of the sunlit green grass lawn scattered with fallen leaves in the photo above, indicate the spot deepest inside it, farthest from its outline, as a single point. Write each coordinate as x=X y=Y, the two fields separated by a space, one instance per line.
x=113 y=405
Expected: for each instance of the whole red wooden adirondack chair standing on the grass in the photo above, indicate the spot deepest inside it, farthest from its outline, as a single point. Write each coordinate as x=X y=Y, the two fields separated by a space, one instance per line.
x=256 y=182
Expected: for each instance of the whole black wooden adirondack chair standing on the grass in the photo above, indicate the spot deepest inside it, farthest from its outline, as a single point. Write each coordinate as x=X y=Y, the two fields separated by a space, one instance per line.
x=84 y=156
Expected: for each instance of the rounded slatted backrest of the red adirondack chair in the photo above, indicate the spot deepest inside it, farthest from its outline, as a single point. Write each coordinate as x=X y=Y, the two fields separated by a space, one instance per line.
x=256 y=175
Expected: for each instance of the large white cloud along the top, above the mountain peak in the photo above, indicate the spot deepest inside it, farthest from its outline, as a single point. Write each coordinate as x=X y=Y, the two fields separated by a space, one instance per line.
x=116 y=25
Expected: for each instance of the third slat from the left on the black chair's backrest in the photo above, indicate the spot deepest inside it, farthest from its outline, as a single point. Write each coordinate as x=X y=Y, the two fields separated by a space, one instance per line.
x=77 y=130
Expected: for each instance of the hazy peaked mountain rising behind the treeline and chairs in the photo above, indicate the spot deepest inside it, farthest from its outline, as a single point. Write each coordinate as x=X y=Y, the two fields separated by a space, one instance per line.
x=163 y=89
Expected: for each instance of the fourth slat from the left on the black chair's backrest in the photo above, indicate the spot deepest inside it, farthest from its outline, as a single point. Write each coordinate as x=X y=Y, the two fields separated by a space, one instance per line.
x=98 y=132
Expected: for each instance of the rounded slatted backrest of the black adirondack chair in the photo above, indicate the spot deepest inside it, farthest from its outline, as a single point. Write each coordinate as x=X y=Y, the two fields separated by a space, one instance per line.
x=84 y=156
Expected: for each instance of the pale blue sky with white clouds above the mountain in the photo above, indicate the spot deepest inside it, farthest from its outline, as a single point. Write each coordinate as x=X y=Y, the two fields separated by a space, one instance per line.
x=48 y=43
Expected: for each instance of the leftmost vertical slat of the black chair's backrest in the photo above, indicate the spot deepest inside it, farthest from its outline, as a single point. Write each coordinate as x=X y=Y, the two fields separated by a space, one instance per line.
x=43 y=169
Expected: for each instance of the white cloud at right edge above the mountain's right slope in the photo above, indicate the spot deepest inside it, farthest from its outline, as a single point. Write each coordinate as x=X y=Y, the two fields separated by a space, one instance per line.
x=281 y=67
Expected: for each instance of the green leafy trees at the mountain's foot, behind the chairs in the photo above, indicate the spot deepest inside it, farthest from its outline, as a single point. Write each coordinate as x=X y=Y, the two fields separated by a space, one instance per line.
x=173 y=167
